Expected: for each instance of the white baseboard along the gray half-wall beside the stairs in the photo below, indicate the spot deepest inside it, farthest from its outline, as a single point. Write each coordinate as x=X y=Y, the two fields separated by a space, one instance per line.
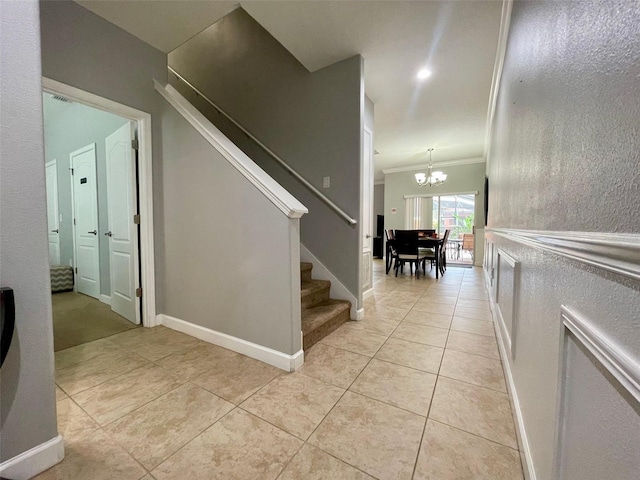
x=289 y=363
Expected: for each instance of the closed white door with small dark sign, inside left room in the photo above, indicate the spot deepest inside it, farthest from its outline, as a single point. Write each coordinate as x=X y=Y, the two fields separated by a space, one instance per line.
x=85 y=215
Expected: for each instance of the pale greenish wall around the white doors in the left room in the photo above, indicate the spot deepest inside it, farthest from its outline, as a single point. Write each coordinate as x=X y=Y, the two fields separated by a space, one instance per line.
x=67 y=129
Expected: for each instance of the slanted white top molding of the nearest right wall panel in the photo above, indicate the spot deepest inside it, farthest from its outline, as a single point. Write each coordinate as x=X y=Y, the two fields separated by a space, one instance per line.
x=621 y=365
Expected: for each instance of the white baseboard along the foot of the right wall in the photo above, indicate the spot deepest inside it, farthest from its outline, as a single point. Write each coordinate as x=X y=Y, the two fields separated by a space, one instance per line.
x=505 y=355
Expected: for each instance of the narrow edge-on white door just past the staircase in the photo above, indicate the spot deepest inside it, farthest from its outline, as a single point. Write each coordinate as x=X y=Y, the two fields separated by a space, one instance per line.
x=367 y=210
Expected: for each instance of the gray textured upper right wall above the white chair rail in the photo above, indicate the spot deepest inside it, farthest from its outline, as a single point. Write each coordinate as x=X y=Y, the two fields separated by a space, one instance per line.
x=567 y=135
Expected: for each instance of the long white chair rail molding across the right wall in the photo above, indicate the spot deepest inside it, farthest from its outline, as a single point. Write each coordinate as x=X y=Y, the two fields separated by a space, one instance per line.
x=615 y=252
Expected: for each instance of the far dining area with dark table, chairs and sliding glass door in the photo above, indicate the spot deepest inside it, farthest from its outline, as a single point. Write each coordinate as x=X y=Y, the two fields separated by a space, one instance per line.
x=447 y=217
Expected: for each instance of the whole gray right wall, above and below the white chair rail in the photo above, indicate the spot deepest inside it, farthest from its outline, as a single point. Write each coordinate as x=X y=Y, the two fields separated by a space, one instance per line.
x=564 y=156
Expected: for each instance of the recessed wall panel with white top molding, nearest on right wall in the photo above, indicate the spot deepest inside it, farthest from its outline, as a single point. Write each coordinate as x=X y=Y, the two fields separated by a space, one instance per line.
x=599 y=400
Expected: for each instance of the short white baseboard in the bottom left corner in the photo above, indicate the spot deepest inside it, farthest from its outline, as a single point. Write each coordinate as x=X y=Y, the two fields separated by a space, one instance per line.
x=32 y=462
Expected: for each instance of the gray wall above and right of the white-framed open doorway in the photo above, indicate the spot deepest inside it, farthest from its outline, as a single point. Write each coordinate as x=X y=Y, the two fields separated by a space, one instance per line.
x=85 y=51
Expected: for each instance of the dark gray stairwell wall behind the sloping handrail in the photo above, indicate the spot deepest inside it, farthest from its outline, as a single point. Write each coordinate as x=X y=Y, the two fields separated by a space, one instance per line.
x=312 y=120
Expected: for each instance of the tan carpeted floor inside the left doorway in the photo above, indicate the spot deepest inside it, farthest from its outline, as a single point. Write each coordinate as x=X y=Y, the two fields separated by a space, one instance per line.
x=79 y=319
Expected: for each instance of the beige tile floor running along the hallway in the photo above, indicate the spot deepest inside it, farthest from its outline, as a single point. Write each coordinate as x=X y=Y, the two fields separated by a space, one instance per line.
x=415 y=390
